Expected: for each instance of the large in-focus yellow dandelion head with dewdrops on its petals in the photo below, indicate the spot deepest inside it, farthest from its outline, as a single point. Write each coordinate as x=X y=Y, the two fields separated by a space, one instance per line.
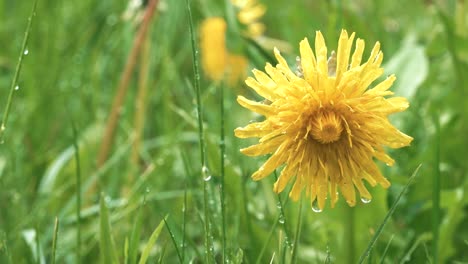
x=324 y=122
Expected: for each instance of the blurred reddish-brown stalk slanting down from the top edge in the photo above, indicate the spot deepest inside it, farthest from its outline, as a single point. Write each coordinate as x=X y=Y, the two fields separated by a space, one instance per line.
x=114 y=114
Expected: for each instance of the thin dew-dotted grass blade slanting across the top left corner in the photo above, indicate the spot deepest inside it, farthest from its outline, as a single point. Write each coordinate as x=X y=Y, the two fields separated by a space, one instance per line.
x=14 y=82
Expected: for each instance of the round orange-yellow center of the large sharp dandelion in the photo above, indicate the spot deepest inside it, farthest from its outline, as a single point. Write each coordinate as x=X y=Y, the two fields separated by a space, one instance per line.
x=326 y=127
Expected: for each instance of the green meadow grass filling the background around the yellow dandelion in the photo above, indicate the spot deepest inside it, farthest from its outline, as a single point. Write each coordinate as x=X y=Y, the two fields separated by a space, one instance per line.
x=172 y=185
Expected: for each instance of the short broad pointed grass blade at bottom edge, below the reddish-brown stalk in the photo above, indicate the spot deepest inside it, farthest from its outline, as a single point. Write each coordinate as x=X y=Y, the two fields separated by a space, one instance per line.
x=106 y=242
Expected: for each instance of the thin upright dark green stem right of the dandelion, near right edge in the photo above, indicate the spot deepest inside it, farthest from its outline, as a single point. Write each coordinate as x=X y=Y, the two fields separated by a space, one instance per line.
x=436 y=195
